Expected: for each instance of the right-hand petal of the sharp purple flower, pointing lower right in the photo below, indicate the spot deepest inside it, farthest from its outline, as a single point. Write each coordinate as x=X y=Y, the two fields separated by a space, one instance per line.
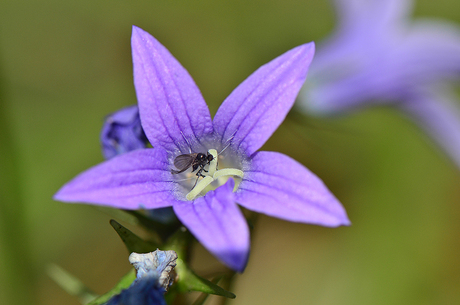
x=279 y=186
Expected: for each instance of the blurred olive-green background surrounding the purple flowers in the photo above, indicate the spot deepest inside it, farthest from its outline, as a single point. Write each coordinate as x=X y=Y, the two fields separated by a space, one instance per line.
x=64 y=65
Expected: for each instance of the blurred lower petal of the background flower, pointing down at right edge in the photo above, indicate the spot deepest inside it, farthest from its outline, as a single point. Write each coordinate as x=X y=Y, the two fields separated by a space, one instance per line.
x=438 y=115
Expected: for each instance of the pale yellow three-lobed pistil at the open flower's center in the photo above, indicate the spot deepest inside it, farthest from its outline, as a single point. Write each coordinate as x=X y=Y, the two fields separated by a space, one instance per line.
x=214 y=178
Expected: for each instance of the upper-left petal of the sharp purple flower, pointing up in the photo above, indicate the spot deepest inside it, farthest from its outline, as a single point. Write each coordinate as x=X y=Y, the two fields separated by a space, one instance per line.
x=170 y=104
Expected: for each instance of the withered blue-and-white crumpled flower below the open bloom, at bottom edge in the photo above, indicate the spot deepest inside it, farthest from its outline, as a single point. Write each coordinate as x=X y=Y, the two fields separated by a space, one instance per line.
x=152 y=279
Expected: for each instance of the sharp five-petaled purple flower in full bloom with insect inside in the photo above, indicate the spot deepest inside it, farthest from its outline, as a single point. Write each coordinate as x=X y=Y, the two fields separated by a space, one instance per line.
x=177 y=121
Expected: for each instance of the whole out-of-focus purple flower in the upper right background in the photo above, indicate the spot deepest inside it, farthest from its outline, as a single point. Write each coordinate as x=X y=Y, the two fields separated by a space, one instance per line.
x=378 y=56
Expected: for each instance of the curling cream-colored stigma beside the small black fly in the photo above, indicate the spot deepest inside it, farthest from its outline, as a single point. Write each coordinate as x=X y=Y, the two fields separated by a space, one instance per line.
x=213 y=175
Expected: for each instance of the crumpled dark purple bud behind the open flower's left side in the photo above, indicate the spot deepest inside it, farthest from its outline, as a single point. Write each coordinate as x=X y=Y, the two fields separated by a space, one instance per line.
x=122 y=132
